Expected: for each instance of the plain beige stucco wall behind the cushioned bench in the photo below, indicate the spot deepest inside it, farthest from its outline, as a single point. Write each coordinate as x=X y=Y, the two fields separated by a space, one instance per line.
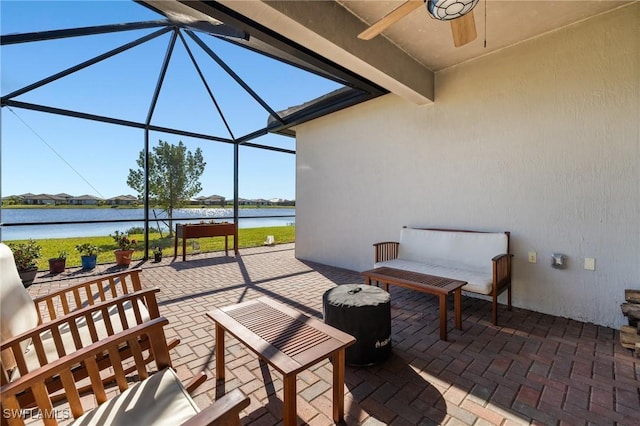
x=541 y=139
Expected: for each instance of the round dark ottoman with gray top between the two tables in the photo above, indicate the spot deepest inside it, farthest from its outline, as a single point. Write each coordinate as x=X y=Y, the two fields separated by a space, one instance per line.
x=364 y=311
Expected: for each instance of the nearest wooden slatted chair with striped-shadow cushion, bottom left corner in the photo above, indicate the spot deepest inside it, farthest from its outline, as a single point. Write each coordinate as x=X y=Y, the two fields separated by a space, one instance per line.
x=158 y=398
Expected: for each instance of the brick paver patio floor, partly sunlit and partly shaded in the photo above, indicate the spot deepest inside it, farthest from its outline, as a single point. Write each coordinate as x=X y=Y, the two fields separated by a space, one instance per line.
x=531 y=369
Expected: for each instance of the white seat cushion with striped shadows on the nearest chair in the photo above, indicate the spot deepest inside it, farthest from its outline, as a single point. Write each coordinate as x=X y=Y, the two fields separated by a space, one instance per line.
x=159 y=400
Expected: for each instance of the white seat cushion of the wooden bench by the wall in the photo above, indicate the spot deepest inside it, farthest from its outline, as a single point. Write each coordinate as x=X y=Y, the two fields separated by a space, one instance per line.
x=477 y=281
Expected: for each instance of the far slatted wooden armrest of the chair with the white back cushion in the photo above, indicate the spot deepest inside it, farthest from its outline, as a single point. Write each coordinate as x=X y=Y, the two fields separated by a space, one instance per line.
x=77 y=296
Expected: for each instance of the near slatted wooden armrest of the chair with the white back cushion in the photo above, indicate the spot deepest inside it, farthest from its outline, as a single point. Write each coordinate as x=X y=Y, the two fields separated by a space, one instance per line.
x=112 y=308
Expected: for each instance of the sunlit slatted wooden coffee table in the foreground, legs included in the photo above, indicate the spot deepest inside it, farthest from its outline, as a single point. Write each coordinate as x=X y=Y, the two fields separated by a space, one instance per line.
x=286 y=339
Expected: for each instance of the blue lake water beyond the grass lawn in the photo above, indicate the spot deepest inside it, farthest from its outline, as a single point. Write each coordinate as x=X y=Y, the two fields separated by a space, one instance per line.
x=133 y=217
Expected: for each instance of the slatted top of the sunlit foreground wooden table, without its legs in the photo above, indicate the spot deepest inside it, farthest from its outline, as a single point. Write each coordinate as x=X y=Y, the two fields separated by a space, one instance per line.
x=287 y=339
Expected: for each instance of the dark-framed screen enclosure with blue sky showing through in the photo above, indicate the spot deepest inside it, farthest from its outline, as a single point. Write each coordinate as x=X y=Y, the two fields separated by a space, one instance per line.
x=86 y=90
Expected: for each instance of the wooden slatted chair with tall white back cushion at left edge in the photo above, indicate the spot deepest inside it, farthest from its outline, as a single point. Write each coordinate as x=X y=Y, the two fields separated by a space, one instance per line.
x=35 y=332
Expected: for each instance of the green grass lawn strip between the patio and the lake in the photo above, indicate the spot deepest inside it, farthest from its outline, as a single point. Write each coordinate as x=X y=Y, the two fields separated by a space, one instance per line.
x=249 y=237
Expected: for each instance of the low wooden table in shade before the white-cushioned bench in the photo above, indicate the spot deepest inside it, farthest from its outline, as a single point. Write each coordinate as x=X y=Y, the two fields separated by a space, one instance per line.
x=440 y=286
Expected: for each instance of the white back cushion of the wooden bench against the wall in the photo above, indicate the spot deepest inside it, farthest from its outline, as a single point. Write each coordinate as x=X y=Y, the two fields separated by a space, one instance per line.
x=452 y=248
